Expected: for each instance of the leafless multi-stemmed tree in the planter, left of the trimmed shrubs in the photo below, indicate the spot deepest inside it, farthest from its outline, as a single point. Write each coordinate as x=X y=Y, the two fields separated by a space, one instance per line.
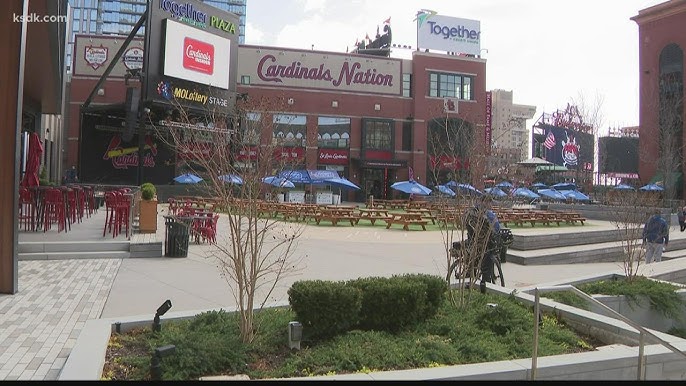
x=257 y=251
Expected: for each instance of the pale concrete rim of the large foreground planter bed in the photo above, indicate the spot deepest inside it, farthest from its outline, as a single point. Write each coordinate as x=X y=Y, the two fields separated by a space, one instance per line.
x=616 y=361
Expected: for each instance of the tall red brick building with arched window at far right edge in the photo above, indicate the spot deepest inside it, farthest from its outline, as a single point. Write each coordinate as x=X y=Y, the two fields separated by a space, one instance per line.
x=662 y=38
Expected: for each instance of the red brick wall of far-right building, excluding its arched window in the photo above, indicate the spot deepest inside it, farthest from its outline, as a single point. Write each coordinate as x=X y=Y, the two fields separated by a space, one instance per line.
x=658 y=26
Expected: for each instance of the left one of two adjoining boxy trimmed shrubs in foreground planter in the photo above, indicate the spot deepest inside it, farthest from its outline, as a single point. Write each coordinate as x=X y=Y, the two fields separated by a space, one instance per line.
x=325 y=308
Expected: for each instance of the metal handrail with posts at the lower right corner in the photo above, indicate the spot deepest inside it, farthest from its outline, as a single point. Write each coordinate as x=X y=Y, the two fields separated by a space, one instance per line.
x=641 y=371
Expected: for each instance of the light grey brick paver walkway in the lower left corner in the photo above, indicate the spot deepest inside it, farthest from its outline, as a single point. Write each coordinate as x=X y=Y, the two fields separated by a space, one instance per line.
x=41 y=322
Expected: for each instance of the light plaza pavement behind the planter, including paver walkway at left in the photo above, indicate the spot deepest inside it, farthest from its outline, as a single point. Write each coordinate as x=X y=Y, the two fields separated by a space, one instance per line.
x=42 y=321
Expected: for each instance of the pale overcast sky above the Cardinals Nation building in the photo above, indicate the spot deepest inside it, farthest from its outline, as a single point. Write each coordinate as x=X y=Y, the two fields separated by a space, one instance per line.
x=548 y=52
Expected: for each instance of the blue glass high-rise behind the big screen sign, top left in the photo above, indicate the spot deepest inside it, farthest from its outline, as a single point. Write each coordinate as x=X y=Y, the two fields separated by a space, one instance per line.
x=117 y=17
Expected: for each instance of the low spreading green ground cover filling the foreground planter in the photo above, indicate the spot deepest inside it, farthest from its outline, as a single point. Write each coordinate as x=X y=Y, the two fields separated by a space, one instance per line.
x=492 y=328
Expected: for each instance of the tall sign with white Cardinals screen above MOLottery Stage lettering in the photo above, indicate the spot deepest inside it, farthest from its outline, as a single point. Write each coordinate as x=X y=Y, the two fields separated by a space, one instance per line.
x=192 y=58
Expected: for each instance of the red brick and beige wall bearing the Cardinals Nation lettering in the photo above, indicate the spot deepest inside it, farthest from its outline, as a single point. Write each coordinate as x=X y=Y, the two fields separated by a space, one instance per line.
x=314 y=99
